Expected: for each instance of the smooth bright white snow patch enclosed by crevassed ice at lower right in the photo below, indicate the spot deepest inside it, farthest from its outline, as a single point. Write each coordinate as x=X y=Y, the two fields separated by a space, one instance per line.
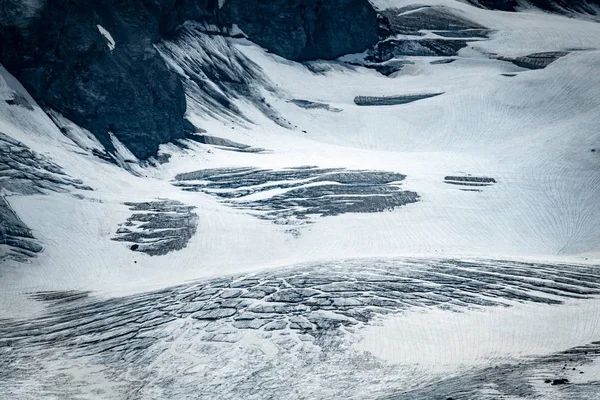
x=444 y=340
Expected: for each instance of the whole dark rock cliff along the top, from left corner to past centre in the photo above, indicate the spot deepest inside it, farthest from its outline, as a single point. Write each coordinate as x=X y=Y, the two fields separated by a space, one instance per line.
x=58 y=50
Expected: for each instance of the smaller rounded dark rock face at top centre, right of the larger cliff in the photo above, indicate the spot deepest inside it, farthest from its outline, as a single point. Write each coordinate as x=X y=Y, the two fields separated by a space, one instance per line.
x=305 y=29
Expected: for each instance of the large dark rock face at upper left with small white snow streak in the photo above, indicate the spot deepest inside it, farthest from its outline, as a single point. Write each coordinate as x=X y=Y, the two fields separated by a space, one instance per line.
x=94 y=62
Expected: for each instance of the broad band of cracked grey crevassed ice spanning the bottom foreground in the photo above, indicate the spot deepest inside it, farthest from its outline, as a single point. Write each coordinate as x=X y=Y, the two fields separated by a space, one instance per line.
x=245 y=334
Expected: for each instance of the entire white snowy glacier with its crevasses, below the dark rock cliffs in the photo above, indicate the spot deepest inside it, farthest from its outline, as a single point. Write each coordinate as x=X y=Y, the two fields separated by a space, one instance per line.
x=309 y=245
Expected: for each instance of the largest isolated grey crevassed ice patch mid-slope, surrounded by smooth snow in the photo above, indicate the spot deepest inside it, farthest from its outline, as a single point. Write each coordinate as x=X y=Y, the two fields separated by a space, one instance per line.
x=293 y=195
